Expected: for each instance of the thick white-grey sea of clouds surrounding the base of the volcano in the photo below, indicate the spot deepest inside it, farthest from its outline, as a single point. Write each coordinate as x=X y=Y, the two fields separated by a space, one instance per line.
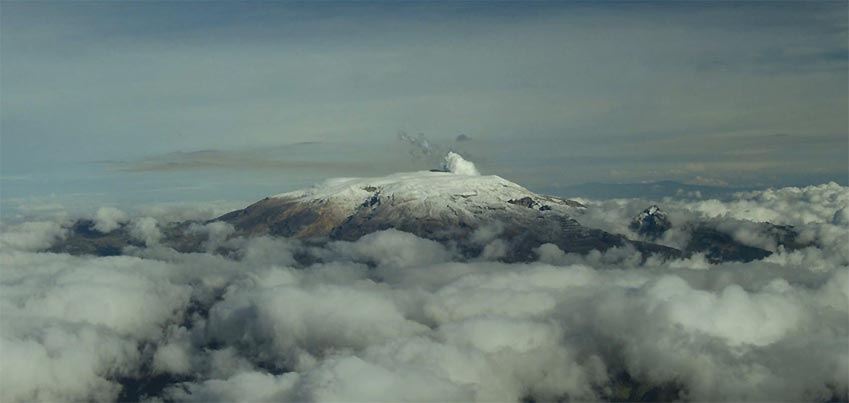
x=396 y=317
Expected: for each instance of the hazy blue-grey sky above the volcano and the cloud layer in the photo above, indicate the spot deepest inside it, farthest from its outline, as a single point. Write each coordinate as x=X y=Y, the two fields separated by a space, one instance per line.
x=550 y=94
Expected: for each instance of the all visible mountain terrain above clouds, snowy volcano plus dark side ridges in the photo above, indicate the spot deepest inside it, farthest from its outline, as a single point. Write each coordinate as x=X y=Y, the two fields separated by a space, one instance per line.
x=455 y=206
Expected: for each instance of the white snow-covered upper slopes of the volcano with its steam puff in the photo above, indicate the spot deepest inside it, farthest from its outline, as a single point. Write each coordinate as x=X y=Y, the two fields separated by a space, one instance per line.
x=454 y=195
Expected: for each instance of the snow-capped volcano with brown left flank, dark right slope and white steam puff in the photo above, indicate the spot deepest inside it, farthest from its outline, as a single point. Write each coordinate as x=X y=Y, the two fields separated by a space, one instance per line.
x=452 y=207
